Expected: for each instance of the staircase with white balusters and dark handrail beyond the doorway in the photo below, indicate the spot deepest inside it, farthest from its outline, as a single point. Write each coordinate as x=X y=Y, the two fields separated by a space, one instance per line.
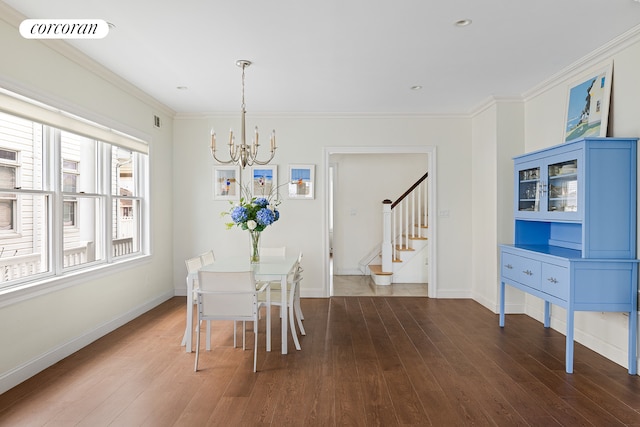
x=403 y=255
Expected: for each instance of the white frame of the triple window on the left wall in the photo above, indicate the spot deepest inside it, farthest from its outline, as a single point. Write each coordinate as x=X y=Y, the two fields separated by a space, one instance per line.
x=53 y=120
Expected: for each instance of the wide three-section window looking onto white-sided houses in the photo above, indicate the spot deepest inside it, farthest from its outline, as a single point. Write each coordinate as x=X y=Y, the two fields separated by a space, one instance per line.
x=60 y=189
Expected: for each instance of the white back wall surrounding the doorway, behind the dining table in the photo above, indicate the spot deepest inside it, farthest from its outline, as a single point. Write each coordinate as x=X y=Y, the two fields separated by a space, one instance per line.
x=301 y=139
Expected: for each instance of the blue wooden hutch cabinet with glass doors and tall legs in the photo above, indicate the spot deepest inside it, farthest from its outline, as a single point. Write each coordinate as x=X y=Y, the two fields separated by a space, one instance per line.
x=575 y=232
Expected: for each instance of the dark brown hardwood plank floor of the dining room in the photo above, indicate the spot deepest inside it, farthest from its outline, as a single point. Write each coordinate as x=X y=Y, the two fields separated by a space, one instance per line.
x=365 y=361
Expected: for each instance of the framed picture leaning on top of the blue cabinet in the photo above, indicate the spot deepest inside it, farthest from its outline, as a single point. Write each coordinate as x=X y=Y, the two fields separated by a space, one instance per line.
x=587 y=112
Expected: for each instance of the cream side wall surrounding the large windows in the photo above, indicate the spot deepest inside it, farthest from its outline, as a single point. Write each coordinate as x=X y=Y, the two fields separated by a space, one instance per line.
x=41 y=329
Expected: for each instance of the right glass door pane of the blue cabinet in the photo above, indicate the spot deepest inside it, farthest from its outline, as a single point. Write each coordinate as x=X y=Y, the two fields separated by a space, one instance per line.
x=562 y=191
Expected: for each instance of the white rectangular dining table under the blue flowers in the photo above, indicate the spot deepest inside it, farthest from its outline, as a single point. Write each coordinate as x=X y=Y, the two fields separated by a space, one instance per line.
x=270 y=268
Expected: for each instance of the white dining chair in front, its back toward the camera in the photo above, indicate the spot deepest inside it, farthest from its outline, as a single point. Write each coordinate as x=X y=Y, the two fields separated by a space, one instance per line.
x=228 y=296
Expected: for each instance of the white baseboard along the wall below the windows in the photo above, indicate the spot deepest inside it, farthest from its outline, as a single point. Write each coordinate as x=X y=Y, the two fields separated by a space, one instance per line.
x=30 y=368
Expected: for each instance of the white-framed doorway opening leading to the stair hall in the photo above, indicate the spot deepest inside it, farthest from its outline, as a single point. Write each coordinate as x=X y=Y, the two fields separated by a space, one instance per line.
x=357 y=179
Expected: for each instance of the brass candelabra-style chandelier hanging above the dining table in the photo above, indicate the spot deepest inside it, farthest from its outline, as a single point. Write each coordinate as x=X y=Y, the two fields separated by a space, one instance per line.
x=243 y=154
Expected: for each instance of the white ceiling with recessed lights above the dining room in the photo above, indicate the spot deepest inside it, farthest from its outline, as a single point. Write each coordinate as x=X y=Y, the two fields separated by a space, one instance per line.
x=340 y=56
